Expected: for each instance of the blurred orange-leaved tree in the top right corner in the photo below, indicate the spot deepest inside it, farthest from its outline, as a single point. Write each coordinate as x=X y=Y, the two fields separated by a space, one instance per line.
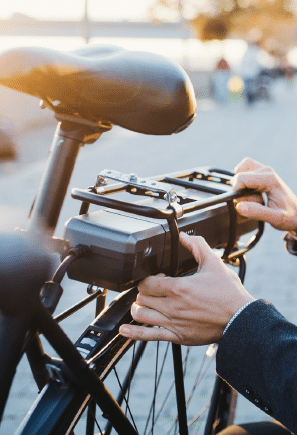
x=270 y=23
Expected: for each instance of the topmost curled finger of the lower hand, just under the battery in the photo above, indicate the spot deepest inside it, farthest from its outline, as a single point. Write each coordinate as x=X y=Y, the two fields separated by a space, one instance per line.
x=156 y=286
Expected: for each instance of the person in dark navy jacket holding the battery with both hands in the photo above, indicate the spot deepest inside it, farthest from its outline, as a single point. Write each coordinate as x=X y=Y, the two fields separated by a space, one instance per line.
x=257 y=350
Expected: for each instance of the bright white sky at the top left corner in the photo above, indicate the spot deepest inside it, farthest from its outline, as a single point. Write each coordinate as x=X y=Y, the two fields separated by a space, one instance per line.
x=74 y=9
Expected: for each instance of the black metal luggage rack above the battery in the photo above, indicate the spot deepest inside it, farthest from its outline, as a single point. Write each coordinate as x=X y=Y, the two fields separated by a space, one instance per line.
x=205 y=179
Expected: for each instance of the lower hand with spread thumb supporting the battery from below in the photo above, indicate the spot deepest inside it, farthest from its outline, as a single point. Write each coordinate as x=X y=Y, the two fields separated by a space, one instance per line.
x=192 y=310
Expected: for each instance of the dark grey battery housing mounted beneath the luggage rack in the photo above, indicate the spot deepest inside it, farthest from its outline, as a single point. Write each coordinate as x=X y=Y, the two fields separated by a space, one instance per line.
x=126 y=248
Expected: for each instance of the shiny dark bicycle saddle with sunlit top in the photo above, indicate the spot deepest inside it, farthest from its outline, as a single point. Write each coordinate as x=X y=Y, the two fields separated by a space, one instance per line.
x=140 y=91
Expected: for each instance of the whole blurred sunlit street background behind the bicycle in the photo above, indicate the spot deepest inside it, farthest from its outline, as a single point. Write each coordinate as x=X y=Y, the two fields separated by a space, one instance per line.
x=241 y=56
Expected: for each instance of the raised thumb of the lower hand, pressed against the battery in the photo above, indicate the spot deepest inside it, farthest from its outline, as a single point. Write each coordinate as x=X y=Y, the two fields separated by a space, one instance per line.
x=201 y=251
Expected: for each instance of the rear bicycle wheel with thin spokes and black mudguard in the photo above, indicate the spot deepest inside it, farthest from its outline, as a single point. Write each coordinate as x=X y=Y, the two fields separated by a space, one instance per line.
x=141 y=378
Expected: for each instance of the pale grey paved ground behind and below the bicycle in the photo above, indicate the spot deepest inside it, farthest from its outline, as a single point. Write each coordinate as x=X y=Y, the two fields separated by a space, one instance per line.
x=220 y=136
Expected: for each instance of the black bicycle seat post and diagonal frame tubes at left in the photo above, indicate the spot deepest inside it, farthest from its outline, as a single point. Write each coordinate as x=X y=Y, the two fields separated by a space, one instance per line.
x=46 y=210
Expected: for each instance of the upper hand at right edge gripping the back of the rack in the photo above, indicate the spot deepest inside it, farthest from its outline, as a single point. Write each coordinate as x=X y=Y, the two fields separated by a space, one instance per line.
x=281 y=208
